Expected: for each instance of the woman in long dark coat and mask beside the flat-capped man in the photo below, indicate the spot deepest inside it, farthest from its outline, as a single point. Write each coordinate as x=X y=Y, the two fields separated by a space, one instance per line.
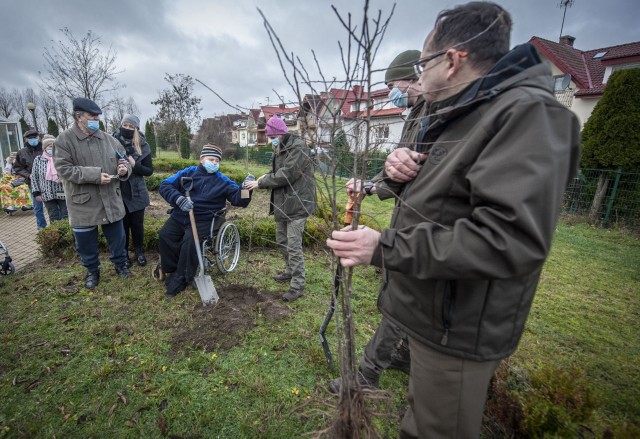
x=134 y=190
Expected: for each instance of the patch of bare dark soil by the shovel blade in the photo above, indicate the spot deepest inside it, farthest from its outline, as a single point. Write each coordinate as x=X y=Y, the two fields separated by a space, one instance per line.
x=223 y=326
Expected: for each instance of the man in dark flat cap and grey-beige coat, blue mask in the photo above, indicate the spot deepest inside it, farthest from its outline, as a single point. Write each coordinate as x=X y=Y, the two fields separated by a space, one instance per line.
x=91 y=165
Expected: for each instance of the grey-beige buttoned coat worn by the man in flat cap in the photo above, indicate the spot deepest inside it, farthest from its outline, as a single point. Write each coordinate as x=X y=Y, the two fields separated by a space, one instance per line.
x=80 y=159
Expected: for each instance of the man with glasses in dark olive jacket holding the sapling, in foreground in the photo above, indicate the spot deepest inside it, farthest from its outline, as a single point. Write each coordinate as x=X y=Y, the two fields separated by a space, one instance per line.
x=476 y=216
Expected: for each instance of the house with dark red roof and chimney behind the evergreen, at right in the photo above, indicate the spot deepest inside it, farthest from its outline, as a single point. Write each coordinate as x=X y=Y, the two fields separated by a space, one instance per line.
x=581 y=76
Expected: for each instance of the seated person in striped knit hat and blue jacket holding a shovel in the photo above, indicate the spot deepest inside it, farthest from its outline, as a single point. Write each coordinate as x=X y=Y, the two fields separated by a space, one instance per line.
x=209 y=192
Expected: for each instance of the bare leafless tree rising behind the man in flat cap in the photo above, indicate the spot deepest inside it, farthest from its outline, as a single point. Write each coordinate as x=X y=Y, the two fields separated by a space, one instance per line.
x=80 y=67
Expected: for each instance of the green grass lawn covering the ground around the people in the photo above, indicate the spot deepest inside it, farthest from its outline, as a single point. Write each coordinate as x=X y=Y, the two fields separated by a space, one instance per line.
x=115 y=362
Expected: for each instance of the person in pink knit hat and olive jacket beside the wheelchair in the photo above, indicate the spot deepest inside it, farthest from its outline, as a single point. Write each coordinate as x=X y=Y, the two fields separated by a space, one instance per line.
x=293 y=200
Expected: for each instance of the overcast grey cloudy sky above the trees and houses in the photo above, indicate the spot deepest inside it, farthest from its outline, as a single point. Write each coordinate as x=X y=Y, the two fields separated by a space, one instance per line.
x=224 y=43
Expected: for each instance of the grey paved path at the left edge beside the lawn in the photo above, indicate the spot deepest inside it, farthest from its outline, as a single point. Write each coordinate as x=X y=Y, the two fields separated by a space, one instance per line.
x=18 y=233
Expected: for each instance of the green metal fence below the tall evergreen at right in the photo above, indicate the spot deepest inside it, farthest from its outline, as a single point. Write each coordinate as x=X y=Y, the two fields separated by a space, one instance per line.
x=605 y=197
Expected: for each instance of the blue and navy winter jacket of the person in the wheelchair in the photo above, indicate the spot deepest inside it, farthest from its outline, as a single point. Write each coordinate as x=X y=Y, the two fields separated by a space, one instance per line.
x=210 y=193
